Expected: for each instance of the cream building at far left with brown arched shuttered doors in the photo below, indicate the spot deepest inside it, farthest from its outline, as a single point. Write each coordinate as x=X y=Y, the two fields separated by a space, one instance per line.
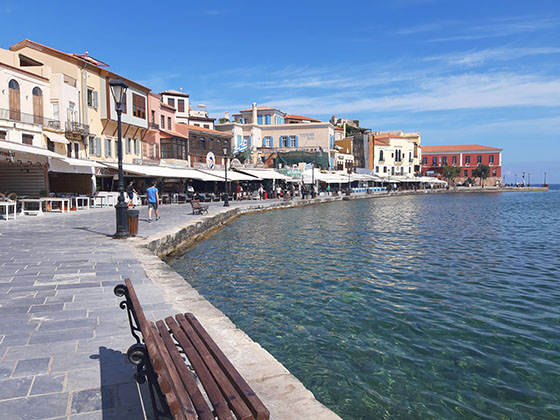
x=28 y=134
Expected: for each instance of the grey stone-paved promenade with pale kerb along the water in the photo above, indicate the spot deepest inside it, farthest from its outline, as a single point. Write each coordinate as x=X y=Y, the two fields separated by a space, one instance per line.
x=62 y=335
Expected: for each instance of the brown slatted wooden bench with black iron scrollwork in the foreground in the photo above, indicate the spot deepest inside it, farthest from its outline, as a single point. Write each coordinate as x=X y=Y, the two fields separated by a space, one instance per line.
x=185 y=368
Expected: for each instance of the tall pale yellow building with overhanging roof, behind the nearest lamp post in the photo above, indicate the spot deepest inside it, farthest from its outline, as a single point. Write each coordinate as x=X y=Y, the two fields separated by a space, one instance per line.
x=82 y=102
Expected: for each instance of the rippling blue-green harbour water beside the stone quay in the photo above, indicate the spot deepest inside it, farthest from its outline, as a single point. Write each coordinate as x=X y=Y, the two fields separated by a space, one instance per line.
x=431 y=307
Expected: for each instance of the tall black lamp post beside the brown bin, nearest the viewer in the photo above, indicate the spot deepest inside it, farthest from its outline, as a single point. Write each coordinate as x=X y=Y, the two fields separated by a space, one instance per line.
x=118 y=90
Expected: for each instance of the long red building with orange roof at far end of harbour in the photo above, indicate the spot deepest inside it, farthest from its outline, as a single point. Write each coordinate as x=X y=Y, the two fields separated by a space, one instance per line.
x=465 y=156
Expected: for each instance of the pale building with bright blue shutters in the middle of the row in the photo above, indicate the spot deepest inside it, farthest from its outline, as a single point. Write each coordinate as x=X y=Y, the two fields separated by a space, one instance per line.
x=266 y=131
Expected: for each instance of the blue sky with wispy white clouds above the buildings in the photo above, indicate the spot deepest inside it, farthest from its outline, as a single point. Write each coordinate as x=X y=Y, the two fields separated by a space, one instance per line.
x=484 y=72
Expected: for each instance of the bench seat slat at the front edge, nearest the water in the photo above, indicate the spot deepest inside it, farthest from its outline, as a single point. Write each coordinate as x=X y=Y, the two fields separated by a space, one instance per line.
x=252 y=400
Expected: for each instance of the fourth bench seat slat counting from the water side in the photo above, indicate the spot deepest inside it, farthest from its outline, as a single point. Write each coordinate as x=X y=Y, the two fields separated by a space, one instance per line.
x=200 y=405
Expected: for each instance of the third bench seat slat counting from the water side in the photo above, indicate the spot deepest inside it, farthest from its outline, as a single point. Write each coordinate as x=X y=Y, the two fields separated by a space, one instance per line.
x=212 y=390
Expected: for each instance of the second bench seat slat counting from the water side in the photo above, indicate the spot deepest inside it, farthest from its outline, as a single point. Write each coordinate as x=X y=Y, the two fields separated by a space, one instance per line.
x=237 y=403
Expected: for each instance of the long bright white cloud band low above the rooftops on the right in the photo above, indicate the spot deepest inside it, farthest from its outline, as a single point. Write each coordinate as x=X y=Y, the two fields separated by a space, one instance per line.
x=441 y=93
